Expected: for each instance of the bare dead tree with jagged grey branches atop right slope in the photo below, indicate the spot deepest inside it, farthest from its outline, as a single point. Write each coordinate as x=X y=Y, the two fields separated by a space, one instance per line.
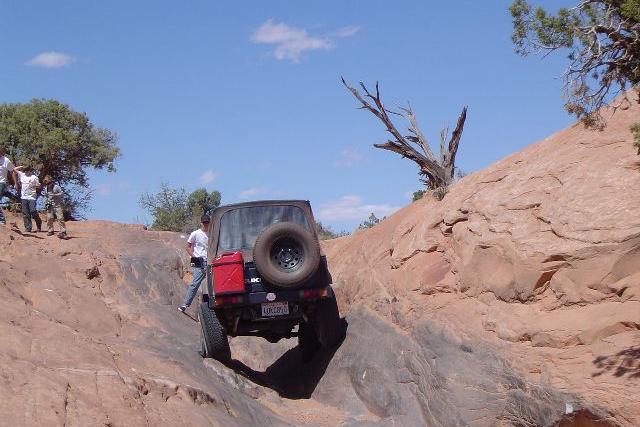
x=435 y=173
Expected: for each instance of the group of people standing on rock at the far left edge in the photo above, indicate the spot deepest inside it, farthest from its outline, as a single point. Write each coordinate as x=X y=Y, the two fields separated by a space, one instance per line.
x=29 y=187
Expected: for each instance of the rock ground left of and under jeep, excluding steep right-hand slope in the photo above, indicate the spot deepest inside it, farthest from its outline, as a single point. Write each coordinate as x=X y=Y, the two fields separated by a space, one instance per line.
x=91 y=336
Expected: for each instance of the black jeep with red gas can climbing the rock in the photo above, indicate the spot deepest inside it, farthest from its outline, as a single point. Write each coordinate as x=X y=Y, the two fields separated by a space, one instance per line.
x=267 y=277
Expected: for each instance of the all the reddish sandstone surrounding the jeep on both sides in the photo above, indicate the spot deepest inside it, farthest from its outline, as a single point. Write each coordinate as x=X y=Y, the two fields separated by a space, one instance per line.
x=514 y=301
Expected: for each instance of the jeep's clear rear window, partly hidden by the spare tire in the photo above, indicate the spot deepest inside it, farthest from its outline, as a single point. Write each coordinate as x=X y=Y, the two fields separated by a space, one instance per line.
x=239 y=228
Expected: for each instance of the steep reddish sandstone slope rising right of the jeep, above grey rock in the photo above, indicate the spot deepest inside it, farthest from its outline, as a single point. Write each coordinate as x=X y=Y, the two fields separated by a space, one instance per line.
x=539 y=254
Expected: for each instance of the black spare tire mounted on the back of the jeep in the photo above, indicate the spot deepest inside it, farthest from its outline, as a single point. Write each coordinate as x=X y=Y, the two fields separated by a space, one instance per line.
x=286 y=254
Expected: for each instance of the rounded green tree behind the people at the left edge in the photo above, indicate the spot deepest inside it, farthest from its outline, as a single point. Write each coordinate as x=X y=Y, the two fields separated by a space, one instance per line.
x=60 y=142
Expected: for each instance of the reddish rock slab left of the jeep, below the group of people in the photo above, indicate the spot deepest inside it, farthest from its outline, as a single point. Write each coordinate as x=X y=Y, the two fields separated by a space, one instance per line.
x=109 y=348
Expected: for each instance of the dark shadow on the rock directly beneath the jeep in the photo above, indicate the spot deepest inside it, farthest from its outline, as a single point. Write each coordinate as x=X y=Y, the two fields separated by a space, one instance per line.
x=291 y=376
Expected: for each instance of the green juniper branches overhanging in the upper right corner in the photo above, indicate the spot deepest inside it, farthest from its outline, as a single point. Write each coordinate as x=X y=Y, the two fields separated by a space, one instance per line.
x=603 y=39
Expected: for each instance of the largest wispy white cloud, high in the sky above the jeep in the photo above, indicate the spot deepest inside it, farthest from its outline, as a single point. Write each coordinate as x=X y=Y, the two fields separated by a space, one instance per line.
x=291 y=42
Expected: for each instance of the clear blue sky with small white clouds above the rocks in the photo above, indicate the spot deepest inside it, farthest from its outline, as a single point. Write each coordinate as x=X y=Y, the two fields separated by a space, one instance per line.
x=245 y=96
